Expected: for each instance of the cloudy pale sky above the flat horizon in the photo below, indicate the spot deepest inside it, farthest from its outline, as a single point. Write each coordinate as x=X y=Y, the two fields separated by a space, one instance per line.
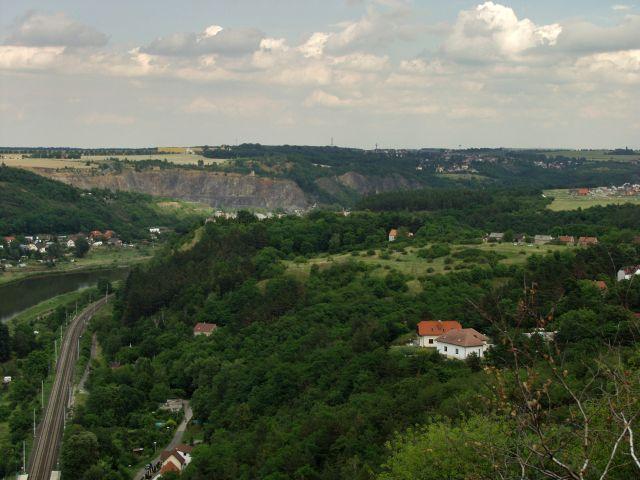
x=519 y=73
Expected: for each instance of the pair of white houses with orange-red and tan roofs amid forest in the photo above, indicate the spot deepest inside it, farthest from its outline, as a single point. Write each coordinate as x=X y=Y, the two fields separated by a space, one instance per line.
x=451 y=340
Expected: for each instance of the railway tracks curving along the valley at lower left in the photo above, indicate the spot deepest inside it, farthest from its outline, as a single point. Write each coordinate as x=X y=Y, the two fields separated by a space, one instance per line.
x=44 y=454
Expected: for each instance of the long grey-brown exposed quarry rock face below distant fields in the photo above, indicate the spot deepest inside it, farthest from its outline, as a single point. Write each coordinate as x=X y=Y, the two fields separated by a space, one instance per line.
x=215 y=189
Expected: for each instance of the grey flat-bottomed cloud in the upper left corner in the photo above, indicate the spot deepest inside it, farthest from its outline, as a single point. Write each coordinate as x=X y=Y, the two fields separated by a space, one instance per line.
x=39 y=29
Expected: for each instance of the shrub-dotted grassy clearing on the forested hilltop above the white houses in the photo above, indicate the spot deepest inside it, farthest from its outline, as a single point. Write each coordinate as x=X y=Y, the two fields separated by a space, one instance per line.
x=415 y=267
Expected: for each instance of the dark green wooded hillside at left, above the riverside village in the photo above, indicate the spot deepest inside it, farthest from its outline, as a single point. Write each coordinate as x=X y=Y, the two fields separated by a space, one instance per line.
x=30 y=203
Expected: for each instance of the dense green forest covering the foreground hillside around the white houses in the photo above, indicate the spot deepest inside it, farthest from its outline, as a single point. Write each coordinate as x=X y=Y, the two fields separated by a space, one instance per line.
x=311 y=377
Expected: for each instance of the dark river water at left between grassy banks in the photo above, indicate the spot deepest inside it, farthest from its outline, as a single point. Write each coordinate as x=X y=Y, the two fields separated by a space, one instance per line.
x=17 y=297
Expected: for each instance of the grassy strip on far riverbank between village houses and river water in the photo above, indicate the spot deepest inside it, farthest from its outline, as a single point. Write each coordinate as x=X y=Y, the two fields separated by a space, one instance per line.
x=97 y=258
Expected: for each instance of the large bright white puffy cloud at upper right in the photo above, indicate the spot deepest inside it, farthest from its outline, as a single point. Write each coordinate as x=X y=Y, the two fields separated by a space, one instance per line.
x=493 y=32
